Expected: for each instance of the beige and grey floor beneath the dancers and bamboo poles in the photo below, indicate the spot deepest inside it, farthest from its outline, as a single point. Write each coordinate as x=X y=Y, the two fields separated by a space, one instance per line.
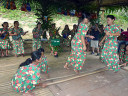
x=106 y=83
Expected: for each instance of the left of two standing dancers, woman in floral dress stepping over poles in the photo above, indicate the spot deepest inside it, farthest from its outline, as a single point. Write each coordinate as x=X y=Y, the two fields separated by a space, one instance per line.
x=78 y=47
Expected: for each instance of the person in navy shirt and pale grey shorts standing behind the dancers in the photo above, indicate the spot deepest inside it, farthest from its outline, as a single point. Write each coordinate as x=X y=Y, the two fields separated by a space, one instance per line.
x=95 y=42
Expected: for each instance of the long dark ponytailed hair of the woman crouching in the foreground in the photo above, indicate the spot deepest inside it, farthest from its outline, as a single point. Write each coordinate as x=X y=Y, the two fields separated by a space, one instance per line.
x=35 y=55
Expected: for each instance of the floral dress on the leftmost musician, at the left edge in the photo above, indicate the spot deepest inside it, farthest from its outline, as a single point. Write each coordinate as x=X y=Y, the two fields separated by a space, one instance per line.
x=4 y=43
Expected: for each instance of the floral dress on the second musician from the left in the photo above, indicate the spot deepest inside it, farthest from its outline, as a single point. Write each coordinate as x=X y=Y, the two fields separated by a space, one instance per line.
x=18 y=45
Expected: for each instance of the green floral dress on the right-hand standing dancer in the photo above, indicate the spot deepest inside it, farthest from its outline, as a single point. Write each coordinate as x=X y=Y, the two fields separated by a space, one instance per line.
x=109 y=52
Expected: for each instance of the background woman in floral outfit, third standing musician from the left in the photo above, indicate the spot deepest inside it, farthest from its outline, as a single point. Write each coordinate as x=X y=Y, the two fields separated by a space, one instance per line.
x=37 y=32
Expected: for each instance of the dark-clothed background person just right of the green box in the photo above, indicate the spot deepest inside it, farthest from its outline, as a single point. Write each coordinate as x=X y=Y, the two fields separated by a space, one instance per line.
x=65 y=33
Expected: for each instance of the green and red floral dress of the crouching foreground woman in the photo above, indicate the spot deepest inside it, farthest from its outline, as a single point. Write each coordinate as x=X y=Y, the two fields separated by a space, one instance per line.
x=26 y=78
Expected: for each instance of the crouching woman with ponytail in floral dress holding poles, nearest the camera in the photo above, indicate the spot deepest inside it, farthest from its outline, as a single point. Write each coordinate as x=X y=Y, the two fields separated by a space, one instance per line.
x=27 y=76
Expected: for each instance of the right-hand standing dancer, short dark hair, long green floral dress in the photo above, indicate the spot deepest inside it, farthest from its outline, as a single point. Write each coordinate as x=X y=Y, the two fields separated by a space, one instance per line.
x=109 y=52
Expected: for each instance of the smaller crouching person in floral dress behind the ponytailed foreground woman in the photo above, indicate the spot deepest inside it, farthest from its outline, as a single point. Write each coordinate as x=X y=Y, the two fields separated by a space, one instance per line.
x=43 y=65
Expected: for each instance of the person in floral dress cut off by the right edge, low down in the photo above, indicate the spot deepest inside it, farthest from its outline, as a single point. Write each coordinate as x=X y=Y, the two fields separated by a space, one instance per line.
x=124 y=55
